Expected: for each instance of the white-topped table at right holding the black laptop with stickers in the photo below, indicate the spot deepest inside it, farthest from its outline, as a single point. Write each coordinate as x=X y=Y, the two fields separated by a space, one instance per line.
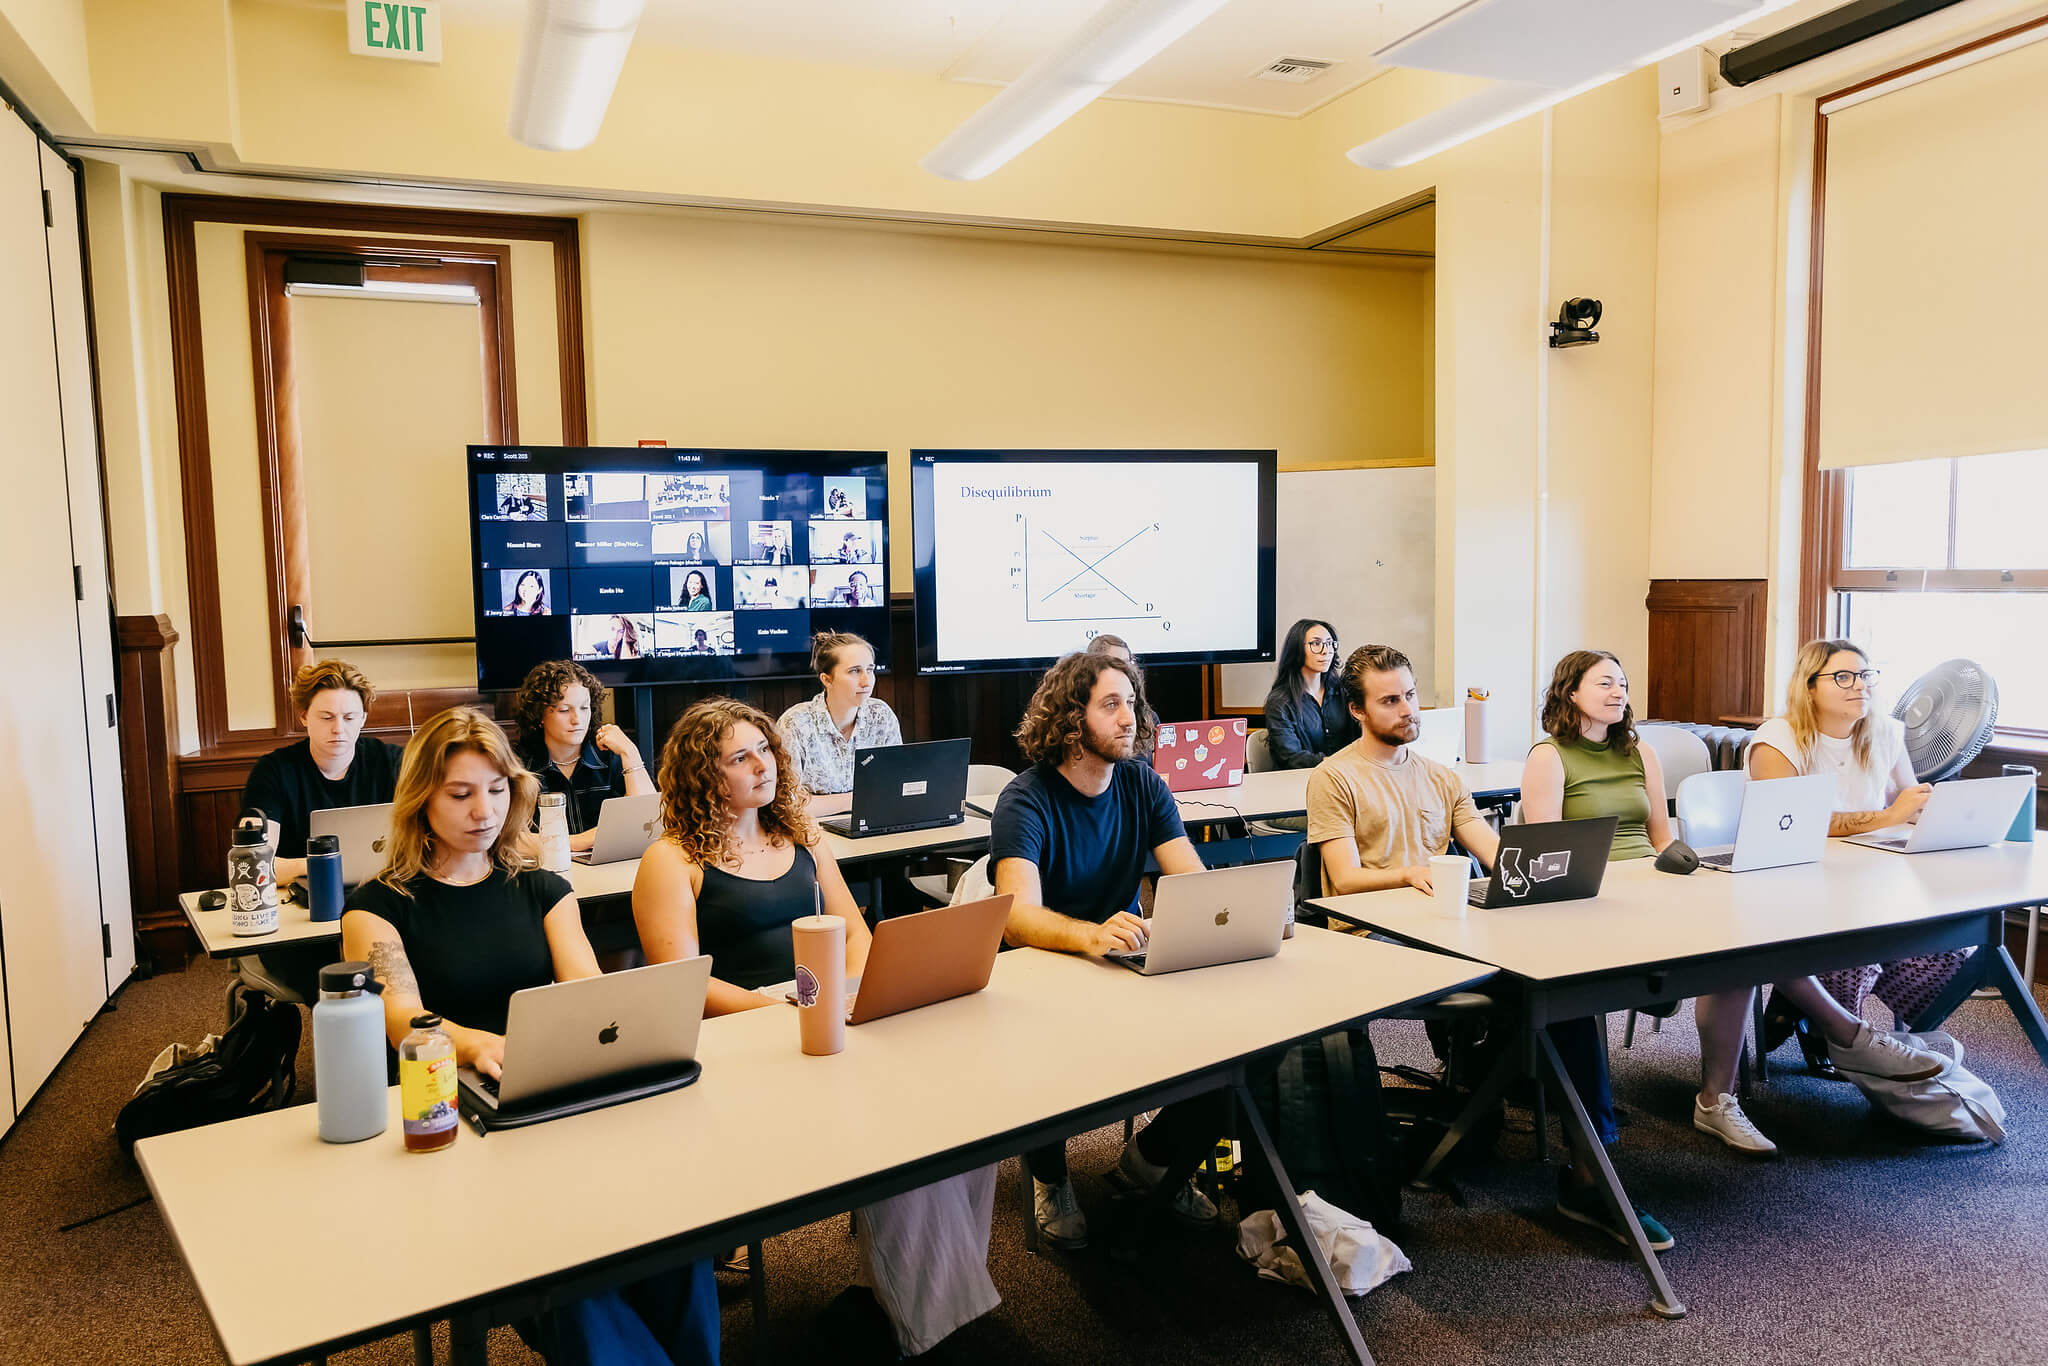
x=1652 y=937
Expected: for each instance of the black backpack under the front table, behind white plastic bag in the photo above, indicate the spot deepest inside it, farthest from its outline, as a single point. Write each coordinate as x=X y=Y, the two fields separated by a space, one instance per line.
x=1328 y=1117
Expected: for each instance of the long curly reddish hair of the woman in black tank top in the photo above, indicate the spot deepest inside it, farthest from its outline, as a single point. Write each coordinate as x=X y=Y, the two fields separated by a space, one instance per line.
x=695 y=812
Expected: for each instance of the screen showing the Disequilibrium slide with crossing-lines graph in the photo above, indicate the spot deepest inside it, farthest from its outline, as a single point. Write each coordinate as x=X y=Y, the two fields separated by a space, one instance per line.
x=1023 y=556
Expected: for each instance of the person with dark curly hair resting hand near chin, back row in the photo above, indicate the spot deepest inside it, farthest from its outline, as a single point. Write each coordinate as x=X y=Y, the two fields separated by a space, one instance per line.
x=574 y=755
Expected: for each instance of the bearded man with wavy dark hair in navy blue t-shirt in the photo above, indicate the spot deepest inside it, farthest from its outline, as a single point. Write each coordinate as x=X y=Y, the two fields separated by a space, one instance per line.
x=1070 y=843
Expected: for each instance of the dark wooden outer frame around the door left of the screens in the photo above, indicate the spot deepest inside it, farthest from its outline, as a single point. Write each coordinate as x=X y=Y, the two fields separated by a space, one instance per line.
x=189 y=388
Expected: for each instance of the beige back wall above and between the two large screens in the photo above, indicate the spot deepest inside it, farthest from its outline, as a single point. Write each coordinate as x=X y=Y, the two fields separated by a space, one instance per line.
x=736 y=333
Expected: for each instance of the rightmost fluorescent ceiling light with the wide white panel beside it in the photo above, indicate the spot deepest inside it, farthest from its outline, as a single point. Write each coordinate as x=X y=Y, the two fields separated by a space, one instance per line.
x=1539 y=52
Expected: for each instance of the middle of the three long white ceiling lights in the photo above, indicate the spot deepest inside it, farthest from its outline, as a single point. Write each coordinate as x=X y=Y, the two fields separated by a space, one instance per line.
x=1119 y=40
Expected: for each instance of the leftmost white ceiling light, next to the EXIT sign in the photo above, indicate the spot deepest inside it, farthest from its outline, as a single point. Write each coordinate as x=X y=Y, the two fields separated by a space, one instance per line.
x=568 y=67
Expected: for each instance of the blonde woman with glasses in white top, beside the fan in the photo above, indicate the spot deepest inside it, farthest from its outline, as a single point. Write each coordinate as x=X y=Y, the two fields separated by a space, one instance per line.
x=1832 y=728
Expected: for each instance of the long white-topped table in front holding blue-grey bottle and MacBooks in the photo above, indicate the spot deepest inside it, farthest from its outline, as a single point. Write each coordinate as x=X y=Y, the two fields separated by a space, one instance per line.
x=548 y=1213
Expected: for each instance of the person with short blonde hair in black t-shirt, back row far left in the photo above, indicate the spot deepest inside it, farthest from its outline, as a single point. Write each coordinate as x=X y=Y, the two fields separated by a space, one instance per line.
x=337 y=765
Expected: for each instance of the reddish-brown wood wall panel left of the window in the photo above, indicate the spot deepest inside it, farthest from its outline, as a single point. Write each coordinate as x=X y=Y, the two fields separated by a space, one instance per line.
x=1707 y=650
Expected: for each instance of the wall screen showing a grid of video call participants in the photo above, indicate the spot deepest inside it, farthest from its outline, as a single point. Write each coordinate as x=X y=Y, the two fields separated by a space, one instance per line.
x=654 y=564
